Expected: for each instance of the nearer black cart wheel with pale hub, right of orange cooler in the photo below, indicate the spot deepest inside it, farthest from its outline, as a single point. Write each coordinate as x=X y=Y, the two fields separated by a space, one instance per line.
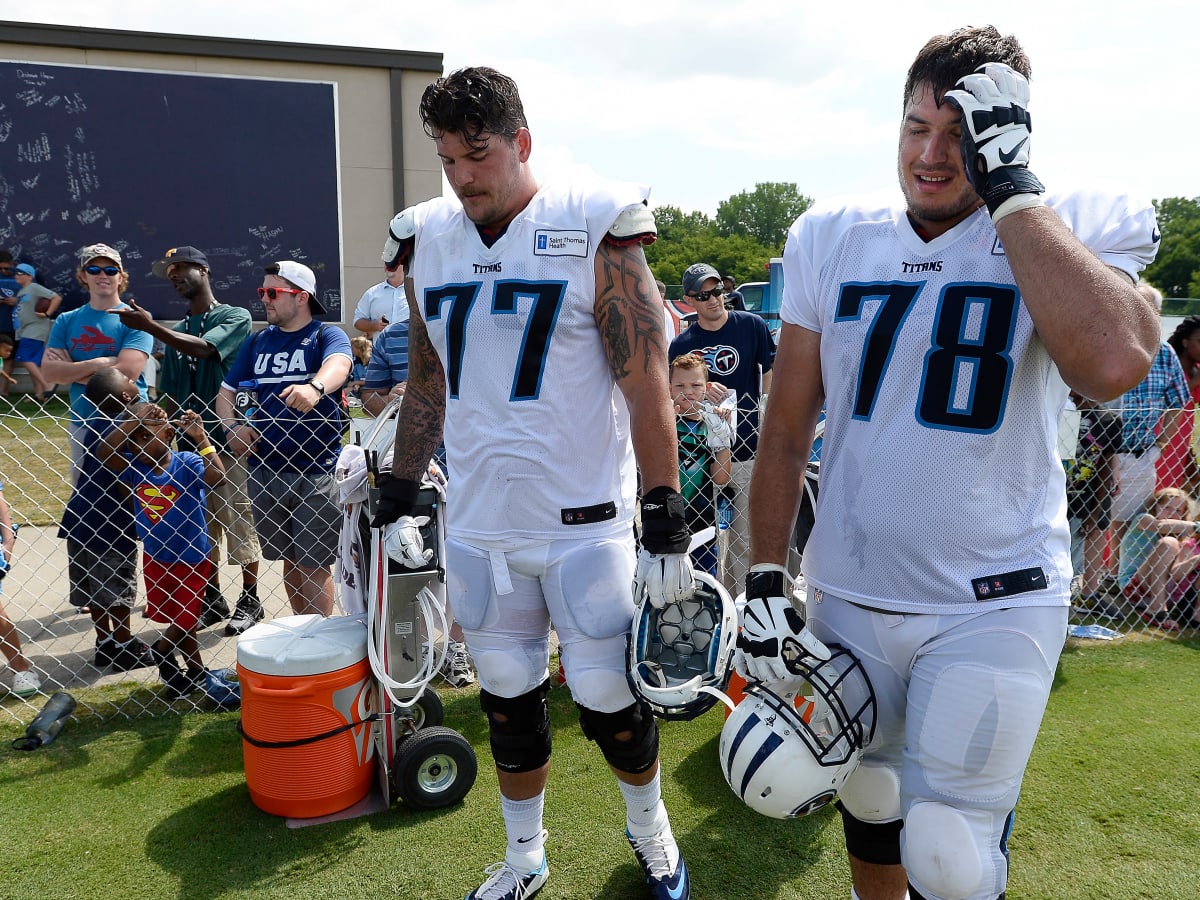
x=434 y=769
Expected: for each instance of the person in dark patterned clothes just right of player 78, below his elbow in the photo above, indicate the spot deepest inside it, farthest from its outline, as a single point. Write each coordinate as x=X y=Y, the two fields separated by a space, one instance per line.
x=1090 y=485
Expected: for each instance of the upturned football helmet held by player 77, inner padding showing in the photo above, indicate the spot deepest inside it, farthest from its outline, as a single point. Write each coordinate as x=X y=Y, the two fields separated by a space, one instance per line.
x=680 y=657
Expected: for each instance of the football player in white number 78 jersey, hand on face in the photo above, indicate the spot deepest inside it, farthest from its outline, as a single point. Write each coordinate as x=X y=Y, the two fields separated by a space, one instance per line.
x=941 y=335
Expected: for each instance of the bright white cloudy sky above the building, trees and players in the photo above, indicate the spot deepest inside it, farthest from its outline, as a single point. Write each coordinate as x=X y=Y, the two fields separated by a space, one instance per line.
x=704 y=99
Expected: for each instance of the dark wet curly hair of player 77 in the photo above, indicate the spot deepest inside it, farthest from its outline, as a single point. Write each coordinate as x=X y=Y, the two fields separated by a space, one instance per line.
x=473 y=103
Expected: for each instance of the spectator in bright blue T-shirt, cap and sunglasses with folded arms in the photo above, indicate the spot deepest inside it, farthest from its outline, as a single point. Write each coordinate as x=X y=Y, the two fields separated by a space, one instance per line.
x=87 y=340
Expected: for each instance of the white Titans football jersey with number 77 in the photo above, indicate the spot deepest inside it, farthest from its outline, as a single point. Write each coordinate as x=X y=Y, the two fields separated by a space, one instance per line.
x=537 y=433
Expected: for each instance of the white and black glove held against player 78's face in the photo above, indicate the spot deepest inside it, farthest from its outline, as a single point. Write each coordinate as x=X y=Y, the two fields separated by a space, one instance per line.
x=997 y=127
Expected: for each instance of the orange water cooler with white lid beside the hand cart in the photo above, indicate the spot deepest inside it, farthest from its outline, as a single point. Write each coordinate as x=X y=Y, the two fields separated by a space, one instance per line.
x=307 y=700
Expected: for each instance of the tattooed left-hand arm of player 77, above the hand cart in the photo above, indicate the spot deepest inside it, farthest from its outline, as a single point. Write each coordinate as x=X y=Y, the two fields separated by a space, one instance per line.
x=423 y=413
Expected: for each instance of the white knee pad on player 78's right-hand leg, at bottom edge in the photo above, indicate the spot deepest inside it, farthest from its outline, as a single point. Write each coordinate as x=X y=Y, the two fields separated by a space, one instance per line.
x=940 y=851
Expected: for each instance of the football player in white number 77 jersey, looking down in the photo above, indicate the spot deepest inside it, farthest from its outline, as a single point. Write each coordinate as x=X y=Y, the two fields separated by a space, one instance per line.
x=538 y=349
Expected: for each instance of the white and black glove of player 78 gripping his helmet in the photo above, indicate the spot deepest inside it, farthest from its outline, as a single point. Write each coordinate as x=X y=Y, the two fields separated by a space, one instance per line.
x=772 y=631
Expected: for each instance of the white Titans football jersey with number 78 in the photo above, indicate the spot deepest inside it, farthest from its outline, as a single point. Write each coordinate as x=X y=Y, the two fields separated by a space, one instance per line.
x=941 y=487
